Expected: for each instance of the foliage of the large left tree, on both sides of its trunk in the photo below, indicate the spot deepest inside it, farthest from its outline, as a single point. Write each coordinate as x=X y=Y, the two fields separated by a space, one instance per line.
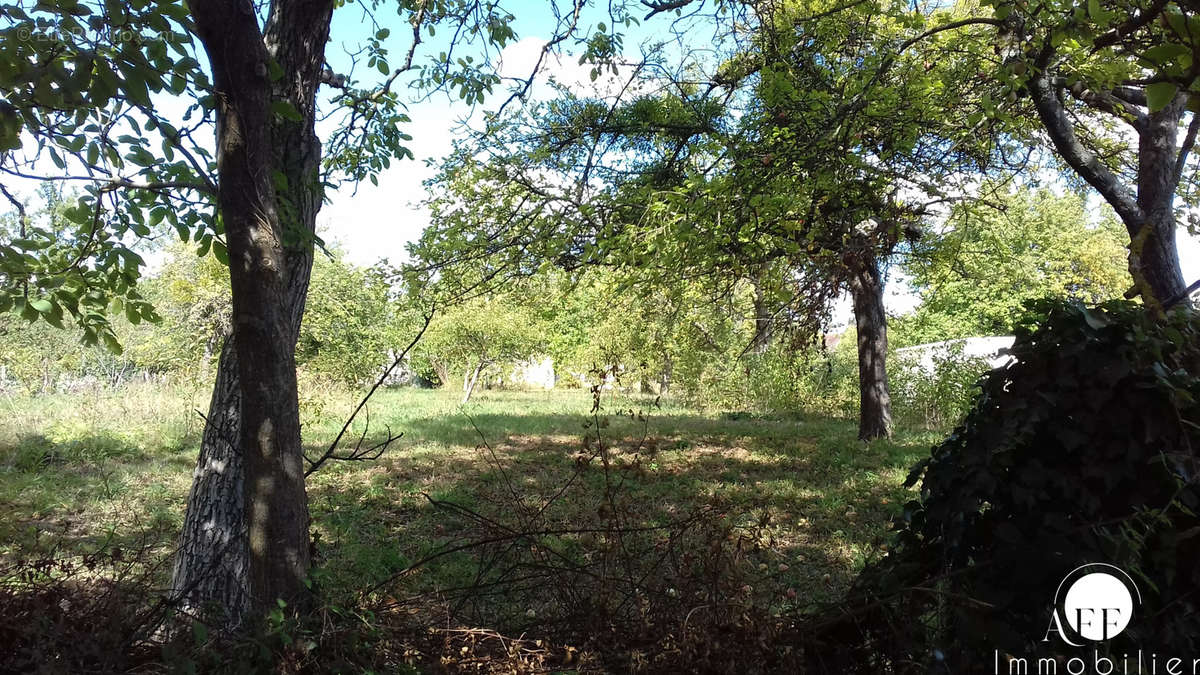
x=113 y=97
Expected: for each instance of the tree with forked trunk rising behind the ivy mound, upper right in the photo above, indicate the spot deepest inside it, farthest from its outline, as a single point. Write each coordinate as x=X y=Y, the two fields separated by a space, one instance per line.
x=1113 y=83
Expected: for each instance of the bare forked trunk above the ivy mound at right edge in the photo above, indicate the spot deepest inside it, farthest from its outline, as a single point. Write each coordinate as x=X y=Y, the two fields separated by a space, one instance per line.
x=1149 y=216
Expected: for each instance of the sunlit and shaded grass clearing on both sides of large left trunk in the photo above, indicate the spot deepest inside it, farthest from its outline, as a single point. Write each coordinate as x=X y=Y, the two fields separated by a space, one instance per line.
x=81 y=473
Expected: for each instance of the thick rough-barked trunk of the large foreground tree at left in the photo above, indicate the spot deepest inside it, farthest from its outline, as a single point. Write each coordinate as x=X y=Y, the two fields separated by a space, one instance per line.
x=214 y=566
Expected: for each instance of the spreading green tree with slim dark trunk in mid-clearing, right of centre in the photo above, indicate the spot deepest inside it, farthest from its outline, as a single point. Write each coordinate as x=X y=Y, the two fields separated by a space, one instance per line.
x=801 y=153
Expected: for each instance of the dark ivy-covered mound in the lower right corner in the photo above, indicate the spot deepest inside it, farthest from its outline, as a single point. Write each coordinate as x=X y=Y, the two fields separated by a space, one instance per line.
x=1083 y=451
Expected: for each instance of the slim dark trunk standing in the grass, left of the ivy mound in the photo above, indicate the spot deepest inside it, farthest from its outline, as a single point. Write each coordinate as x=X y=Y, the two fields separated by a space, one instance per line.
x=872 y=325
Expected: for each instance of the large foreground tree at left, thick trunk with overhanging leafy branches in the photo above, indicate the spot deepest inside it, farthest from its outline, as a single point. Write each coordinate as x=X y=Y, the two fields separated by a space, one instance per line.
x=81 y=85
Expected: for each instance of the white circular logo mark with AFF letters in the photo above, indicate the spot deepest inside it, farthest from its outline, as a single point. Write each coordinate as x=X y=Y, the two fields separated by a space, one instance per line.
x=1096 y=602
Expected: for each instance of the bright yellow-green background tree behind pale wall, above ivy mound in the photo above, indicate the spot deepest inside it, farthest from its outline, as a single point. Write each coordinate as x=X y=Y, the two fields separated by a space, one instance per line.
x=1049 y=248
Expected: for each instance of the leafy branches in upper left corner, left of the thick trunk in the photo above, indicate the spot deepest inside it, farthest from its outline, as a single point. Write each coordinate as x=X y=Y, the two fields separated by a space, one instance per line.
x=76 y=100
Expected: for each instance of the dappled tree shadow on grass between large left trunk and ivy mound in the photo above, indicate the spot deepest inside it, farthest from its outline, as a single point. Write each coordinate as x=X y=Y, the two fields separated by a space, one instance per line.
x=826 y=499
